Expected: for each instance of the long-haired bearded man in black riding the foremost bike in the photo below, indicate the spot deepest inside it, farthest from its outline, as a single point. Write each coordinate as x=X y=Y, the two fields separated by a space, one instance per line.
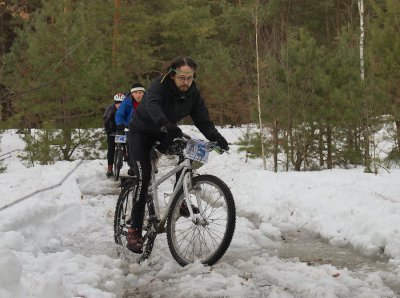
x=170 y=97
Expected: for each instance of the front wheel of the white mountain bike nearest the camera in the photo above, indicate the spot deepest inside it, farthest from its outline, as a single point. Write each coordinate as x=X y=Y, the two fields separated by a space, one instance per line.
x=209 y=237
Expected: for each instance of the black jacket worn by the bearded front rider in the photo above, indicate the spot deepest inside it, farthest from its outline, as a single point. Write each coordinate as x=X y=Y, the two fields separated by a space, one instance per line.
x=164 y=102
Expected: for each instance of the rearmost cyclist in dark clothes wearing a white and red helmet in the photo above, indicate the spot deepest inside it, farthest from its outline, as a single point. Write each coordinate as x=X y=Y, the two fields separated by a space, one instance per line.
x=110 y=128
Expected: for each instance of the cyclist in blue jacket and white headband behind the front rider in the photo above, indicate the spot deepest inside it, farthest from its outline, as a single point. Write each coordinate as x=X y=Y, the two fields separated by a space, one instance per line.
x=127 y=110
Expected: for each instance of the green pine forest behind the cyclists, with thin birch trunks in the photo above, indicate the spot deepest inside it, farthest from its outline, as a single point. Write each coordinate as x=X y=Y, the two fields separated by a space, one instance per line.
x=318 y=77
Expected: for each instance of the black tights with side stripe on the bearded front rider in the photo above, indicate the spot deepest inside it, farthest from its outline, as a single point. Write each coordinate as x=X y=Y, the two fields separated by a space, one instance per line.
x=140 y=144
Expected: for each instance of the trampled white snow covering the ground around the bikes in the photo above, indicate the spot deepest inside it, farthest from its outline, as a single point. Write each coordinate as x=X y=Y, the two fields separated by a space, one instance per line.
x=59 y=243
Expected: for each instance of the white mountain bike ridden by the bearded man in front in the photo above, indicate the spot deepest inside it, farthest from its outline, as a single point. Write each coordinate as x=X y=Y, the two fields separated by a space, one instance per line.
x=206 y=231
